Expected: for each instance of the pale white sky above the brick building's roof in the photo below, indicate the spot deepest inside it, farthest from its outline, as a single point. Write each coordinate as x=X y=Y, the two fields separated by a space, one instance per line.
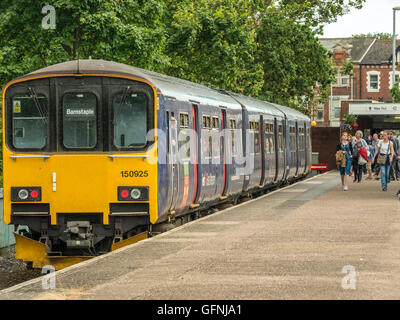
x=375 y=16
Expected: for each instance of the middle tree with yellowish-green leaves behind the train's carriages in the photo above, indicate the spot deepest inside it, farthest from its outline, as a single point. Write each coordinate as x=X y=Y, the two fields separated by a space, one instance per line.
x=213 y=42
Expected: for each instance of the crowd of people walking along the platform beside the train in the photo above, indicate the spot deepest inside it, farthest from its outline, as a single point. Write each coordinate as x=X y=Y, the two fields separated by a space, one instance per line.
x=376 y=156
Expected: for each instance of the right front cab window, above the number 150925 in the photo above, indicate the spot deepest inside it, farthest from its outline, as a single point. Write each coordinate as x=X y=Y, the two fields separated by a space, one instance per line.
x=130 y=120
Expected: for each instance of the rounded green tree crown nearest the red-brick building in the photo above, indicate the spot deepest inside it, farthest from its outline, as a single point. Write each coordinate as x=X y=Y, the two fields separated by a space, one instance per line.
x=293 y=60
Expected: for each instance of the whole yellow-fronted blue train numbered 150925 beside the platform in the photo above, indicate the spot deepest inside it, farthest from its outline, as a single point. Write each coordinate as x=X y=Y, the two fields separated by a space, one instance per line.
x=97 y=154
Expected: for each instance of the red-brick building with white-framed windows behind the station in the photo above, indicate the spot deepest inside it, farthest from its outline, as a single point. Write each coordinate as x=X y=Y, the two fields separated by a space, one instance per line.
x=371 y=83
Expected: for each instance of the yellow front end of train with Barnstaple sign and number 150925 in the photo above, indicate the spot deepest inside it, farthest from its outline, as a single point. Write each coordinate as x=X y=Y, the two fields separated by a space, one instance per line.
x=79 y=167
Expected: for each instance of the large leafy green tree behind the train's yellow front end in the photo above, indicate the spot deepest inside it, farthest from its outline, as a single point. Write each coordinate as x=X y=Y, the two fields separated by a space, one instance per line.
x=126 y=31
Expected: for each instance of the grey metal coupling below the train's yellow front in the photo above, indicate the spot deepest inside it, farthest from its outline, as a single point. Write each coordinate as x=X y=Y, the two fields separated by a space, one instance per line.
x=79 y=234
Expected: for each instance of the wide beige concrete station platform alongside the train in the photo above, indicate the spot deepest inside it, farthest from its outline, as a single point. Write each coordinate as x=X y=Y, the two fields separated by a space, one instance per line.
x=290 y=244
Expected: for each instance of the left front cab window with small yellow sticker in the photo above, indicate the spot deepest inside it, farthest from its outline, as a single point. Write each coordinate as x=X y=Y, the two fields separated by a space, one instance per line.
x=29 y=122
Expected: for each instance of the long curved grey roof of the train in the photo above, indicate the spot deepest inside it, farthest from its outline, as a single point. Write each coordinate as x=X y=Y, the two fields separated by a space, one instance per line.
x=169 y=86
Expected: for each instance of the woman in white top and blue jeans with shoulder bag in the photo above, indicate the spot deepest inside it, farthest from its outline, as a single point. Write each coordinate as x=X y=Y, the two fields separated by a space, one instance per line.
x=384 y=154
